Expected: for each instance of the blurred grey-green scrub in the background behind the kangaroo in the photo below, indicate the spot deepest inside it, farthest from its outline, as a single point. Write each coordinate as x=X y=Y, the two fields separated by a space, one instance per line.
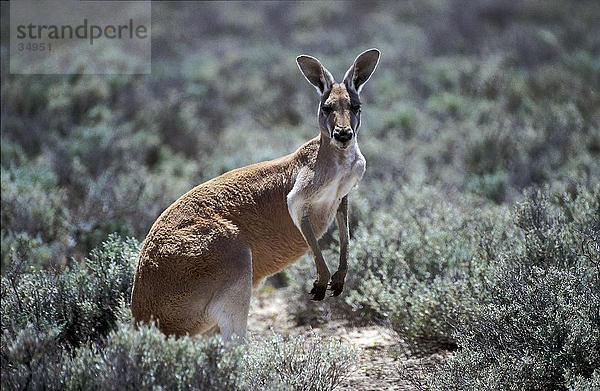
x=431 y=111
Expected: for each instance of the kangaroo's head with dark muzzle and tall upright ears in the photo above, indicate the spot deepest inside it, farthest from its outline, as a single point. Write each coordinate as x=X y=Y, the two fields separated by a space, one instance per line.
x=339 y=107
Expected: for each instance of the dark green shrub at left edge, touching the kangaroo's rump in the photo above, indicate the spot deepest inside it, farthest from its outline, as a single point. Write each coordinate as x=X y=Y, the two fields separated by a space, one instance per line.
x=79 y=302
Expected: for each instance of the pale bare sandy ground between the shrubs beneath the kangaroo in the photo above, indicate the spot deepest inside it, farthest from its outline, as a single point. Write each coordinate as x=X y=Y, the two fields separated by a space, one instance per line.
x=383 y=361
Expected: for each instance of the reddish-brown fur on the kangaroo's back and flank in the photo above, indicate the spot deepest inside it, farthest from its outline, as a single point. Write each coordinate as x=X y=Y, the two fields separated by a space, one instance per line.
x=186 y=240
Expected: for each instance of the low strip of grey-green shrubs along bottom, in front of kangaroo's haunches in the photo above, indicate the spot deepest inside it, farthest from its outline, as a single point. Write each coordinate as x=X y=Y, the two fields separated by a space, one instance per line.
x=144 y=359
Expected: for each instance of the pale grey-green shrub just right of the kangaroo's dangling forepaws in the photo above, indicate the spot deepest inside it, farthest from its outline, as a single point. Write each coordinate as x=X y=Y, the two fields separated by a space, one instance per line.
x=409 y=265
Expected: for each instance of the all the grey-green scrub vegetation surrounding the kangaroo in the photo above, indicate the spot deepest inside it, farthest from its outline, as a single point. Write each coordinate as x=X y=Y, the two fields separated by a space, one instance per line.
x=475 y=229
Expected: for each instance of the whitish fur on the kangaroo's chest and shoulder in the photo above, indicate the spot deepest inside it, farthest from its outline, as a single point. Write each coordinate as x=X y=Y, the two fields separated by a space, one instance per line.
x=318 y=193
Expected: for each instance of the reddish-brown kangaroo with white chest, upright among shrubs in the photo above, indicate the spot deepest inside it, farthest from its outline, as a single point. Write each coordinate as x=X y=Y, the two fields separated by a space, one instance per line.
x=206 y=252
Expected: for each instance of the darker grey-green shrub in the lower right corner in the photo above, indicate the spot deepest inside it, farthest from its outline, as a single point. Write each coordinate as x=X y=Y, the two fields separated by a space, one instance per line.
x=538 y=326
